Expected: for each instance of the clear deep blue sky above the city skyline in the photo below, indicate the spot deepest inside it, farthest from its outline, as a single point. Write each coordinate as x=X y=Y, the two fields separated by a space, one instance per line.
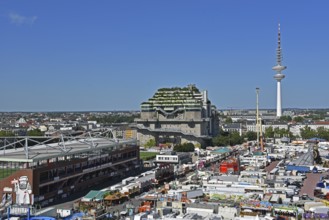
x=112 y=55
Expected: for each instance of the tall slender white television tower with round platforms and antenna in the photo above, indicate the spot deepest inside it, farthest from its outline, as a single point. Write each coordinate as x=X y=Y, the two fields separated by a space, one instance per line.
x=278 y=76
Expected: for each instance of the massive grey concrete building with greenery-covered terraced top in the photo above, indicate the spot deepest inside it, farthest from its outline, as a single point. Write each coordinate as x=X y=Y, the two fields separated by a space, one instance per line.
x=178 y=115
